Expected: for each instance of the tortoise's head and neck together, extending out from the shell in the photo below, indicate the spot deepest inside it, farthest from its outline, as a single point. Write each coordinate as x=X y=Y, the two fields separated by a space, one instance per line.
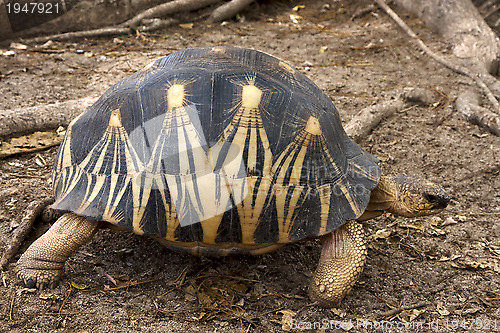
x=406 y=196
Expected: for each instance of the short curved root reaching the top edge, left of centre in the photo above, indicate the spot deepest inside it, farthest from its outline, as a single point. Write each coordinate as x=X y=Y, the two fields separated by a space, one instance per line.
x=168 y=8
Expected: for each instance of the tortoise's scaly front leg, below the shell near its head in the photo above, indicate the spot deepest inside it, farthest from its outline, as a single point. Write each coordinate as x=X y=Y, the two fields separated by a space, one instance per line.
x=342 y=260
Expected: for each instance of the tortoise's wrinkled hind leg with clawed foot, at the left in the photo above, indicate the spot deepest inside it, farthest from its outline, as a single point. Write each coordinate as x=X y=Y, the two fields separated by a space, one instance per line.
x=42 y=263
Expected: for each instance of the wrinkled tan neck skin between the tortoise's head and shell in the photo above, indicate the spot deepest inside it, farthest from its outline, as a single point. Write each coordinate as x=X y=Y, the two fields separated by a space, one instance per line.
x=383 y=198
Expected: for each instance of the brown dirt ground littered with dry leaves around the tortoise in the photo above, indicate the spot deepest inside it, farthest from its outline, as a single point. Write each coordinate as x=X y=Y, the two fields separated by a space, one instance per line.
x=444 y=269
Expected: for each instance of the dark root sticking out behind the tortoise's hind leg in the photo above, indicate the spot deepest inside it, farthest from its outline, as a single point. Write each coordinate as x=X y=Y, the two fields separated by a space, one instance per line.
x=33 y=210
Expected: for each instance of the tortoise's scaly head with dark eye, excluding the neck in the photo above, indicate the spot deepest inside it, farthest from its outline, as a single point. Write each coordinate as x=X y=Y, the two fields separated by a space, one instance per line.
x=411 y=197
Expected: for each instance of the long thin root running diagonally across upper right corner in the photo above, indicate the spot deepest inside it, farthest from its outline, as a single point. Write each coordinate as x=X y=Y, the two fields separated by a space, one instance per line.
x=454 y=67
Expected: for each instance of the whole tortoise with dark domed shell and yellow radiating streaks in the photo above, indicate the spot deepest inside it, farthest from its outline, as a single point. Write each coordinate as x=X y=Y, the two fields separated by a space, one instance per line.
x=217 y=151
